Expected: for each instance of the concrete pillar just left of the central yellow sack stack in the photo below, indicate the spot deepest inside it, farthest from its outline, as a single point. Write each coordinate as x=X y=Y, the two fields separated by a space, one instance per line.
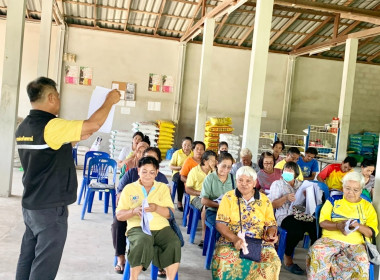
x=204 y=78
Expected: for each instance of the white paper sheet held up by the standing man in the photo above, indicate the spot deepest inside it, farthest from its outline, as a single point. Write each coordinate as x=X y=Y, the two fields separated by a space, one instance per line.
x=97 y=99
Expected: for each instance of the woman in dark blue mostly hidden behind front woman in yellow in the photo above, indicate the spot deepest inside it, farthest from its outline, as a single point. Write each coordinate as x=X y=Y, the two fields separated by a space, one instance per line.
x=119 y=228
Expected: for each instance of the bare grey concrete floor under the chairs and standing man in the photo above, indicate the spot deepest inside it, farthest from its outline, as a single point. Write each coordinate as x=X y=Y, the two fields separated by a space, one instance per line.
x=89 y=252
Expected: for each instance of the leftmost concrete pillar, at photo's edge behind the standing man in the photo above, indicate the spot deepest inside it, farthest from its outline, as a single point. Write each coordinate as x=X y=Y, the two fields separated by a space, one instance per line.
x=10 y=91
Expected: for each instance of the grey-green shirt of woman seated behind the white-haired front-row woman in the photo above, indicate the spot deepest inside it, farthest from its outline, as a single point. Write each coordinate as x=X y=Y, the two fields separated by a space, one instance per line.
x=214 y=188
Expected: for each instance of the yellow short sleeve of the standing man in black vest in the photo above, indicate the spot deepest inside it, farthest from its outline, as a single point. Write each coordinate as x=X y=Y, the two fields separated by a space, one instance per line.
x=59 y=131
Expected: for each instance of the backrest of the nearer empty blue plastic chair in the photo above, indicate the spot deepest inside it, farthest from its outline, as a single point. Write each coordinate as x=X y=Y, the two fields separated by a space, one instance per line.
x=103 y=166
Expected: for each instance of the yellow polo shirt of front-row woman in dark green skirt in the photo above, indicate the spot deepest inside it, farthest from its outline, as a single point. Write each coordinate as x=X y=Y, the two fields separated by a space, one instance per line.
x=132 y=197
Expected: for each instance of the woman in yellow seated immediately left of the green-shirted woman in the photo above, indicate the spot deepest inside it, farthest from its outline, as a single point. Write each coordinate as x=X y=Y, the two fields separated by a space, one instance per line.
x=194 y=185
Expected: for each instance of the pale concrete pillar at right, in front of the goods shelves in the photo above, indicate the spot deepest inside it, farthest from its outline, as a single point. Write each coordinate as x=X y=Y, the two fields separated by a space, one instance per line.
x=346 y=93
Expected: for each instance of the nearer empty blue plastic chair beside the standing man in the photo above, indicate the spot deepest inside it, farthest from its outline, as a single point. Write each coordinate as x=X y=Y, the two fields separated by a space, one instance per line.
x=103 y=167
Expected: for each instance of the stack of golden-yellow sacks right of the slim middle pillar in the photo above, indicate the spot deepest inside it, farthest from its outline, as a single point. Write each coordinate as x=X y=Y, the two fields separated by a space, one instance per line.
x=215 y=127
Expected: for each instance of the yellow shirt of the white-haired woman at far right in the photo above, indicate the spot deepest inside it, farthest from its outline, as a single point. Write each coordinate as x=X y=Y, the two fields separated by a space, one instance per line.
x=341 y=210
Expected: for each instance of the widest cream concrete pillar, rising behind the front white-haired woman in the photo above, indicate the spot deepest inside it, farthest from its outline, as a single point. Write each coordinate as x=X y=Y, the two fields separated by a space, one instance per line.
x=257 y=74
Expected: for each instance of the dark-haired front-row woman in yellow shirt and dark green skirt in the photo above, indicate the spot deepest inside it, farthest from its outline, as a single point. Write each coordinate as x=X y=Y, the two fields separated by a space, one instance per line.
x=163 y=246
